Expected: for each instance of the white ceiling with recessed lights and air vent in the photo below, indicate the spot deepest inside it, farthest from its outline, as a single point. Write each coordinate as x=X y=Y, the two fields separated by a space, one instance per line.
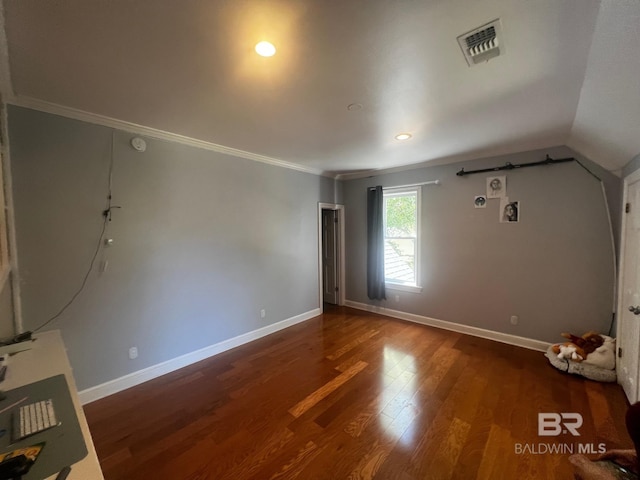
x=570 y=75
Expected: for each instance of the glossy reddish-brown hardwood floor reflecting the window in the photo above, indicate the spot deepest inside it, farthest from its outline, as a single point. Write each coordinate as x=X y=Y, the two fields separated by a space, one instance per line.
x=353 y=395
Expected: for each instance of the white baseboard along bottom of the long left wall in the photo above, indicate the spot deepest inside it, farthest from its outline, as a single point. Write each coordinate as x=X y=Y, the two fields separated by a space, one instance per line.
x=131 y=380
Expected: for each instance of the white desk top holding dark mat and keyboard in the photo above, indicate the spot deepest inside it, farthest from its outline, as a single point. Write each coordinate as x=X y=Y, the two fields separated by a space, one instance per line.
x=47 y=358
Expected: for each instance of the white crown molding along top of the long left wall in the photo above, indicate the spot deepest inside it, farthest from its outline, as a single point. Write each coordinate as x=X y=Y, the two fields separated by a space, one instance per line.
x=73 y=113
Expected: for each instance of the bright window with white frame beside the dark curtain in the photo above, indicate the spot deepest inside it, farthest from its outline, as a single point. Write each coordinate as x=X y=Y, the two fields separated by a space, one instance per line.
x=401 y=242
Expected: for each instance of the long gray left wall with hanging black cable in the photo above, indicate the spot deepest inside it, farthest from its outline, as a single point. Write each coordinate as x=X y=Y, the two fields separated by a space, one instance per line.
x=202 y=242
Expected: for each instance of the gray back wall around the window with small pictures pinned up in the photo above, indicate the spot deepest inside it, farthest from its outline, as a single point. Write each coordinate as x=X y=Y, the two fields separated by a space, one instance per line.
x=554 y=269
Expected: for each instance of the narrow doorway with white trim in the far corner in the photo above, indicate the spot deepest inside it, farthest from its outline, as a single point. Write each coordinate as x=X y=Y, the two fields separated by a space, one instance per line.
x=331 y=271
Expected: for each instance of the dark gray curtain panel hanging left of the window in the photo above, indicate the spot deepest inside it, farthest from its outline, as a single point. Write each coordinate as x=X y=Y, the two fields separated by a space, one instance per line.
x=375 y=244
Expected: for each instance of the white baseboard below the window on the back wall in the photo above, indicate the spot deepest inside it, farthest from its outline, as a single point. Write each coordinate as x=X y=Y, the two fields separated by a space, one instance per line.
x=454 y=327
